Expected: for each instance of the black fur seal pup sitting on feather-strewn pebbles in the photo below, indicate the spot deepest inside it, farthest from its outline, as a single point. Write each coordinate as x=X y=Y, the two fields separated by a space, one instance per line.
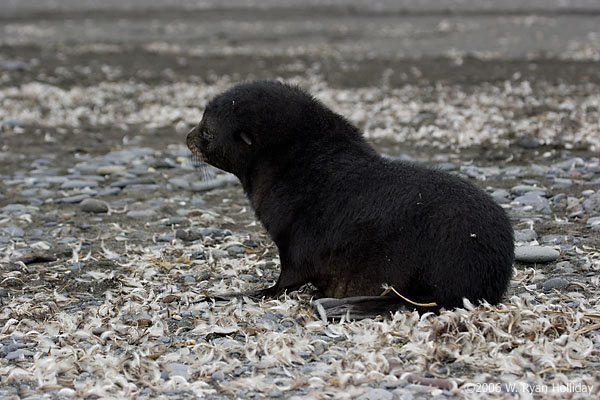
x=346 y=219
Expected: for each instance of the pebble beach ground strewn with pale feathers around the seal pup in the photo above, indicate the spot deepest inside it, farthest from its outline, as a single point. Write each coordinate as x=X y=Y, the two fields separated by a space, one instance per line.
x=110 y=239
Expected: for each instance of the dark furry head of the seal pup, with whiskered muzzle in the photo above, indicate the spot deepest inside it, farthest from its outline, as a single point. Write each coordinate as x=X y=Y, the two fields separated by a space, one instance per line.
x=256 y=120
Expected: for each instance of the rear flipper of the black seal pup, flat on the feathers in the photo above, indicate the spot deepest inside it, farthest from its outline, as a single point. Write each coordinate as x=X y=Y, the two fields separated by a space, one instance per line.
x=360 y=307
